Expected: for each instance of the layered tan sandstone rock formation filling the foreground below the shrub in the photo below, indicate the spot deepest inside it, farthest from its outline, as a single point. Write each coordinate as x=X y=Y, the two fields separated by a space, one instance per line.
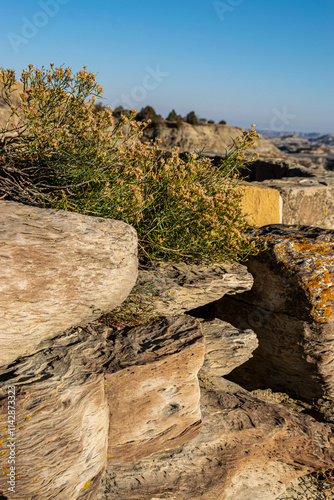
x=146 y=408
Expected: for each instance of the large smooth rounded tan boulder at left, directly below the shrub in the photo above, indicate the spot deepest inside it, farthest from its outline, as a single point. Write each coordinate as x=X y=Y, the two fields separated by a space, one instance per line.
x=58 y=269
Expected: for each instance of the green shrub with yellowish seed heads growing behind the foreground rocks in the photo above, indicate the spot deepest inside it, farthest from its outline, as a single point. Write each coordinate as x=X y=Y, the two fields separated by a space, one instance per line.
x=65 y=156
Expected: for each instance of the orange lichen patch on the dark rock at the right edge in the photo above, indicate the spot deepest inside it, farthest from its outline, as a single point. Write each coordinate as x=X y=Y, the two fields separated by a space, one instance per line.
x=312 y=264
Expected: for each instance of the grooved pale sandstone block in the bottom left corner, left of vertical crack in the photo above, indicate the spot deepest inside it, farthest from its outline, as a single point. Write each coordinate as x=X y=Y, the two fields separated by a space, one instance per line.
x=62 y=418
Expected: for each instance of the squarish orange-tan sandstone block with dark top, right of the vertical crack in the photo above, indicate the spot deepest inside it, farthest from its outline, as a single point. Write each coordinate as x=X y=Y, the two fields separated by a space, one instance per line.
x=154 y=393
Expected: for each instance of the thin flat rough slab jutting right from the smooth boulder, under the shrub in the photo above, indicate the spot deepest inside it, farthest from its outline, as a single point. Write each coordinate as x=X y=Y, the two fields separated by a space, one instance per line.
x=172 y=288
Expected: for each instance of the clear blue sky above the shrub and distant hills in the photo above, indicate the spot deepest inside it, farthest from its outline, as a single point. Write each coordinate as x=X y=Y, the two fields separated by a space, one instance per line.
x=269 y=62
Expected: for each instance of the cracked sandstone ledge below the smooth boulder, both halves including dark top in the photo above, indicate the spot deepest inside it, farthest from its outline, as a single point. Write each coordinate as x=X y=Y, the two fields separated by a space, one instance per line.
x=134 y=391
